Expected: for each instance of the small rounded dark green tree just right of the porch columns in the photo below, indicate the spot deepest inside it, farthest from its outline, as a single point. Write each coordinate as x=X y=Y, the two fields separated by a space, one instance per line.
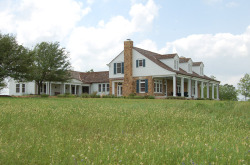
x=228 y=92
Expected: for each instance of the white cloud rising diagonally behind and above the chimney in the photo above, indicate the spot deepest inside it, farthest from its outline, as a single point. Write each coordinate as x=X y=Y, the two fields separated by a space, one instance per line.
x=94 y=47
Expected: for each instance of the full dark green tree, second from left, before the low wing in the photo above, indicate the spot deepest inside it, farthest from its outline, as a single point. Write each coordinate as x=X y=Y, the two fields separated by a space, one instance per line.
x=51 y=63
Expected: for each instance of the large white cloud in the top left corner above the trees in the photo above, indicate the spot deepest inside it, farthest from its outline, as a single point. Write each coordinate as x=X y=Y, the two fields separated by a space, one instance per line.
x=34 y=20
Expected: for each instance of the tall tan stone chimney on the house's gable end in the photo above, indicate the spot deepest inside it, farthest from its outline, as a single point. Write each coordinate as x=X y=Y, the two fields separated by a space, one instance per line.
x=128 y=79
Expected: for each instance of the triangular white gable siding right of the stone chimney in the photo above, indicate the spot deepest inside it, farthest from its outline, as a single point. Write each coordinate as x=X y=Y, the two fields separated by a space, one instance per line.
x=150 y=69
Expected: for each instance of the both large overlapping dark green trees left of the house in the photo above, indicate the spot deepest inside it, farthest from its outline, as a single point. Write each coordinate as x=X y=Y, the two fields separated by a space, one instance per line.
x=47 y=61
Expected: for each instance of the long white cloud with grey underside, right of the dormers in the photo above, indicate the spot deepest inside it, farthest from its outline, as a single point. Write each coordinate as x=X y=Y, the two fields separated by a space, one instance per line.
x=226 y=56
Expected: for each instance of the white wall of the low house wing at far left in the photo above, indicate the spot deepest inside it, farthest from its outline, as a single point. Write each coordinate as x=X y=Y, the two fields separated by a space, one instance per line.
x=29 y=88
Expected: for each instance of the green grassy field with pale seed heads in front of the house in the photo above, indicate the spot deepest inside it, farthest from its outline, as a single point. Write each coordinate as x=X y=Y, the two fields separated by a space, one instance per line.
x=123 y=131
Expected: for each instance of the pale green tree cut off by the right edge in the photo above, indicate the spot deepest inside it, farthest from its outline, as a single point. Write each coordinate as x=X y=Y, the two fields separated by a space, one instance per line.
x=244 y=86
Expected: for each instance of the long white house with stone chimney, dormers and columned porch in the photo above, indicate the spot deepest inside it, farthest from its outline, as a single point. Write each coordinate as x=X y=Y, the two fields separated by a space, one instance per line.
x=134 y=71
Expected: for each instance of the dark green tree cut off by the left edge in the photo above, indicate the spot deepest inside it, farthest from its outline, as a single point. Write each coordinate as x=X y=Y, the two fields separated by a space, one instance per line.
x=15 y=60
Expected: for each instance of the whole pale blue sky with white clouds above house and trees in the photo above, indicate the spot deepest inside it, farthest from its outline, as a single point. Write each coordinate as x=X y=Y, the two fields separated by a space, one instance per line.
x=216 y=32
